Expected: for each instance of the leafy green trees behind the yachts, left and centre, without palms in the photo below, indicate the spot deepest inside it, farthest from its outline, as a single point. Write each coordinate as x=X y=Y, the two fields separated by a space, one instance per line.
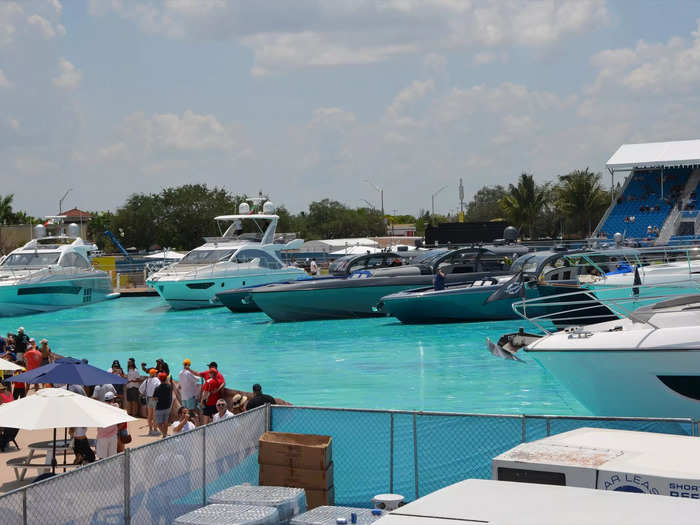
x=180 y=217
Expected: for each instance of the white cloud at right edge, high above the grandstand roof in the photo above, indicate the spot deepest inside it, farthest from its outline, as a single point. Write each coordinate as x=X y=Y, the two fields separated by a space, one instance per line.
x=658 y=68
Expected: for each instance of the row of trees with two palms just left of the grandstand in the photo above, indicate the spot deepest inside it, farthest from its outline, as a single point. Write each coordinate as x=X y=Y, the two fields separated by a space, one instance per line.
x=571 y=207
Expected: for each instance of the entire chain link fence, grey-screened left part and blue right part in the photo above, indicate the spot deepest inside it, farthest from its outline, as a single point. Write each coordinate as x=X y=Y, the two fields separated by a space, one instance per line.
x=374 y=451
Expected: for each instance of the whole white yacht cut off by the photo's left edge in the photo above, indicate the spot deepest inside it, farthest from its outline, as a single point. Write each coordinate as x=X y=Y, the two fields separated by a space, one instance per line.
x=51 y=272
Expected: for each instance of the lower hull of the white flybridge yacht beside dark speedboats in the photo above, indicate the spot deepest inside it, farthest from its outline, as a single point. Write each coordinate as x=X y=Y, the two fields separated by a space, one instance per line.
x=188 y=294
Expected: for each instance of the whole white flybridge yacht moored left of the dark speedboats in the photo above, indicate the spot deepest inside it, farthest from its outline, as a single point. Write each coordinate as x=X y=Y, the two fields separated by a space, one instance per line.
x=234 y=260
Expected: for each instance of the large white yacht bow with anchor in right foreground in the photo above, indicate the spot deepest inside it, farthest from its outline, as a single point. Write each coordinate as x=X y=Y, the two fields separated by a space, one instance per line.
x=644 y=365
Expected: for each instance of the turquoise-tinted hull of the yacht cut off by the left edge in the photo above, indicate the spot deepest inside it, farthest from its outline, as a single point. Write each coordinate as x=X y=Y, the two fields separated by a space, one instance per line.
x=51 y=295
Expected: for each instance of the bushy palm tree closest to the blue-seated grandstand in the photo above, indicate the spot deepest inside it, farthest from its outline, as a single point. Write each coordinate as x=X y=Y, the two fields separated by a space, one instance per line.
x=581 y=199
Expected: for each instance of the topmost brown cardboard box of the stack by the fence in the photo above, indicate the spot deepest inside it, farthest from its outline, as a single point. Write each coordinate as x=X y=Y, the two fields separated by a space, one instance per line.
x=307 y=451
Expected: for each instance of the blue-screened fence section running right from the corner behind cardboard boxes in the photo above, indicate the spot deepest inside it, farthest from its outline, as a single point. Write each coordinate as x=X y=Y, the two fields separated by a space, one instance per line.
x=416 y=453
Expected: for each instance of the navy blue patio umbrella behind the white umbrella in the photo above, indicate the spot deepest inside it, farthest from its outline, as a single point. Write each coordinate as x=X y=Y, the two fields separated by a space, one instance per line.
x=67 y=370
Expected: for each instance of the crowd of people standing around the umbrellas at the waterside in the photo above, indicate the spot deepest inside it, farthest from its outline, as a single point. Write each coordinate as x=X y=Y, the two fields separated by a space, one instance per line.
x=171 y=405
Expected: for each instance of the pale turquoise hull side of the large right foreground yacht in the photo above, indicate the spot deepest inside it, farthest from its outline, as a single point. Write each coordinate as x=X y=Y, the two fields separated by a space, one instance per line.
x=627 y=383
